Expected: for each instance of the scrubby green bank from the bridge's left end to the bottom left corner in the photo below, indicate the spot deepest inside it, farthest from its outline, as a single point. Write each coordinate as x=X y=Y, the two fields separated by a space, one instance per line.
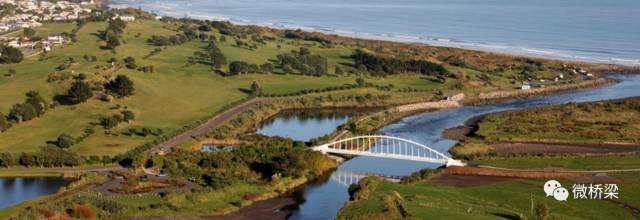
x=224 y=182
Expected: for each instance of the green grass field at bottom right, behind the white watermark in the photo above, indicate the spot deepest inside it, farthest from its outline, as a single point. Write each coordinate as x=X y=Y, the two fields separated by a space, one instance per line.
x=512 y=199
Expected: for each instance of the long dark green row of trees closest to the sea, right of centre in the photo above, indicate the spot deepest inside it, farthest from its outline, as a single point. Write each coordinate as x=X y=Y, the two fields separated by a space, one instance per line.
x=383 y=65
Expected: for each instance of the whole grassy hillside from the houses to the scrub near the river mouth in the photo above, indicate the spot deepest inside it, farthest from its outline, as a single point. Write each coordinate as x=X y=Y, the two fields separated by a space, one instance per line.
x=180 y=92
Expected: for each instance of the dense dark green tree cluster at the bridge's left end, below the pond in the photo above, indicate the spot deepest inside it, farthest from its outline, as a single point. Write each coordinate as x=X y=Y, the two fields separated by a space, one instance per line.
x=265 y=161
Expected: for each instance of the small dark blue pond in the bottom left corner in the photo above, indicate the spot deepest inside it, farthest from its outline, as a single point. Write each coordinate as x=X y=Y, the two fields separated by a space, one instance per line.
x=18 y=189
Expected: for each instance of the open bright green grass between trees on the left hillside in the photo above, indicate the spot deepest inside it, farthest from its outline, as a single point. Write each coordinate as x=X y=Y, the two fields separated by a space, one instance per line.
x=175 y=96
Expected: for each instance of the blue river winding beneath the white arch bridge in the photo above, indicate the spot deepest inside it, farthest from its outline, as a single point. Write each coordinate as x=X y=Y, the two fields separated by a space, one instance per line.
x=324 y=199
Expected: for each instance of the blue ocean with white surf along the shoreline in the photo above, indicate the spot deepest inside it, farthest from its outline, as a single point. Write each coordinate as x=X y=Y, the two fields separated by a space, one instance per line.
x=603 y=31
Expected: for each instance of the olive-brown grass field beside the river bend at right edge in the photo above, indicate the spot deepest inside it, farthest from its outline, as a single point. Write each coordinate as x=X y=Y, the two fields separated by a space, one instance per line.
x=613 y=122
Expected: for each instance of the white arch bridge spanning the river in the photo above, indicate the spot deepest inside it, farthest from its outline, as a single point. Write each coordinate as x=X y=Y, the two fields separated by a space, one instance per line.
x=387 y=147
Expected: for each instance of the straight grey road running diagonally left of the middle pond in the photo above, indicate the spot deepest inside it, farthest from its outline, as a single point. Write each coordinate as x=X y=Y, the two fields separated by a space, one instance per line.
x=207 y=126
